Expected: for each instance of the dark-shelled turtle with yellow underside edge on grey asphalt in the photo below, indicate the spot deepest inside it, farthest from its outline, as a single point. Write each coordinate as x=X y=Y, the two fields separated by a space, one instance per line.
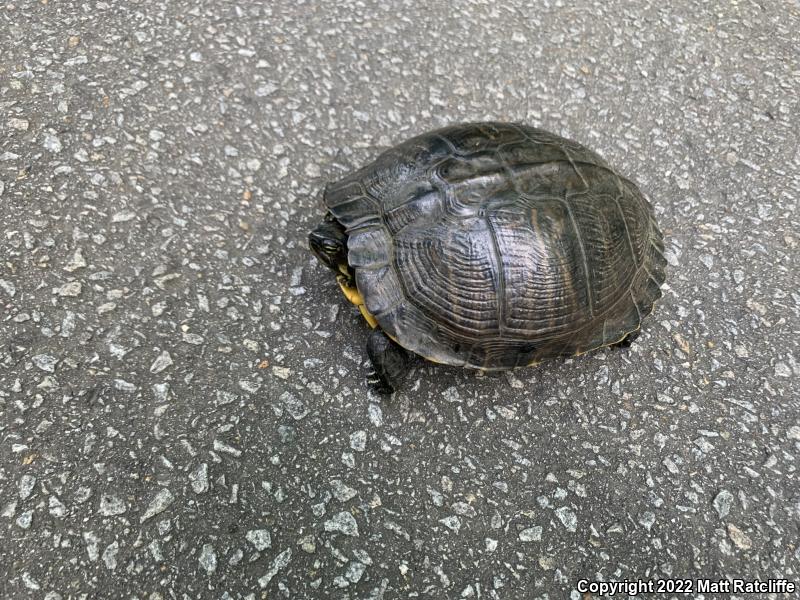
x=490 y=246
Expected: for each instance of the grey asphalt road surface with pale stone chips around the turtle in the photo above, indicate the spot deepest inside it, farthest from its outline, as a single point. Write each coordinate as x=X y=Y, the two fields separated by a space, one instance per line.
x=183 y=407
